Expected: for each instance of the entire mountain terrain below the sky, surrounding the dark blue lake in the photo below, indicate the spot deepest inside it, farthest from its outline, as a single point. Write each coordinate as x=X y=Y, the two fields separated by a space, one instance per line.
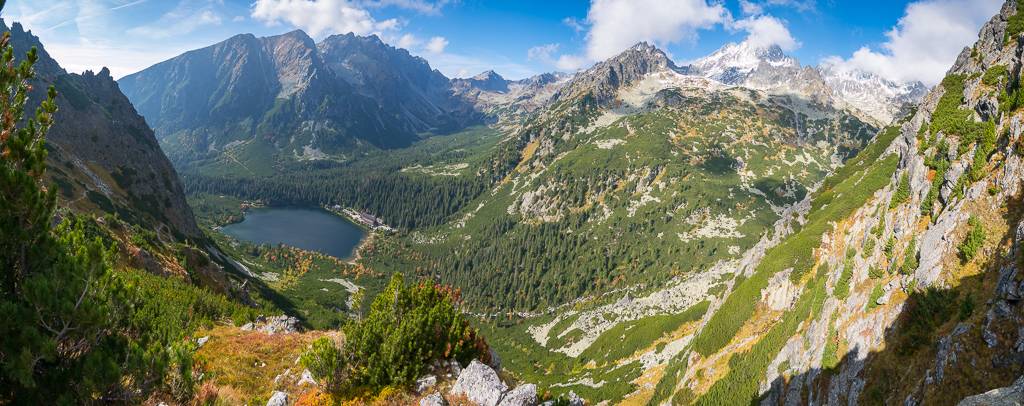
x=740 y=229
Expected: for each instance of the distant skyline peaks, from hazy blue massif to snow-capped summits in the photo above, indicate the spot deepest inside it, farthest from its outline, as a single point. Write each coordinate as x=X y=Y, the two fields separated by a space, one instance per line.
x=274 y=100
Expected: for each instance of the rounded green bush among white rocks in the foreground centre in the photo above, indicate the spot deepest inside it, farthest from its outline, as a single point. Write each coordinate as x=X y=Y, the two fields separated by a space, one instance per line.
x=407 y=328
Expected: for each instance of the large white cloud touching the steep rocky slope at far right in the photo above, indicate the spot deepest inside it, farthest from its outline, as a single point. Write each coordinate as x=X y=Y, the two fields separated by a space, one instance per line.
x=925 y=43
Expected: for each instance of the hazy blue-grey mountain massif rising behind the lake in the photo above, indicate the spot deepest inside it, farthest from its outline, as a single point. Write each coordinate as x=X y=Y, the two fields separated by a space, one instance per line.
x=252 y=101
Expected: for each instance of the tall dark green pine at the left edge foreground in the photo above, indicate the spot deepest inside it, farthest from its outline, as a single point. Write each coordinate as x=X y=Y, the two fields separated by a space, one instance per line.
x=58 y=295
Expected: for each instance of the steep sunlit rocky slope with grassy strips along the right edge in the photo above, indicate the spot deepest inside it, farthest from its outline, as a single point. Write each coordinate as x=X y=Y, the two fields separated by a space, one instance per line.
x=899 y=281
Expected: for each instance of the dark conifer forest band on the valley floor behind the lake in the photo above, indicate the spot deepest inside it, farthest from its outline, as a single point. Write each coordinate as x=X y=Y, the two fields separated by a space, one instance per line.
x=406 y=201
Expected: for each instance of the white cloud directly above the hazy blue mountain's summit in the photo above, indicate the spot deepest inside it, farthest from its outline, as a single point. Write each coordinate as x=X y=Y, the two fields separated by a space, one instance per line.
x=320 y=18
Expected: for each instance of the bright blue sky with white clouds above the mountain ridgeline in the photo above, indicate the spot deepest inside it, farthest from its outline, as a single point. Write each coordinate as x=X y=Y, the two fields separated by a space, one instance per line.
x=902 y=40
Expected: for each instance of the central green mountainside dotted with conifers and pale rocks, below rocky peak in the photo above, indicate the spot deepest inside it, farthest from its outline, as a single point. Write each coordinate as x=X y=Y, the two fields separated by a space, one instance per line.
x=642 y=174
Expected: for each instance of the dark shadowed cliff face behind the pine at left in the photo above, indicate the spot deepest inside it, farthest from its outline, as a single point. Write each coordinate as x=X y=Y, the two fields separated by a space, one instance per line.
x=103 y=156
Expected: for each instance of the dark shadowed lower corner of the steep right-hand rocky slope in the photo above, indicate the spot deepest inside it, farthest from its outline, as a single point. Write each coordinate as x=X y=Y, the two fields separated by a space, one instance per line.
x=947 y=344
